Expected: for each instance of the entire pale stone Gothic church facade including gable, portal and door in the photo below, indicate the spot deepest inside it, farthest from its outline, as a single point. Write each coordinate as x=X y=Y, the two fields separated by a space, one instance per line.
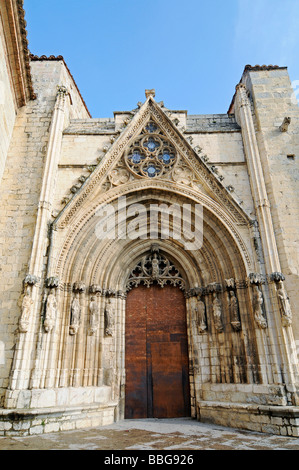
x=149 y=261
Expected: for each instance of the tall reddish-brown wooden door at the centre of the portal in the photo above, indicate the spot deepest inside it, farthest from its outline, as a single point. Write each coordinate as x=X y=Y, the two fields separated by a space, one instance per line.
x=157 y=378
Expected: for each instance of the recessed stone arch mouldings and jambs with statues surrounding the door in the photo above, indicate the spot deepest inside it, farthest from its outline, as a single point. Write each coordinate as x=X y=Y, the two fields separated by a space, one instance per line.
x=87 y=349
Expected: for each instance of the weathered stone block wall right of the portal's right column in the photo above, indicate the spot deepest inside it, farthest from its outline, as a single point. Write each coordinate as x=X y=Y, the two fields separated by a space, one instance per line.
x=273 y=100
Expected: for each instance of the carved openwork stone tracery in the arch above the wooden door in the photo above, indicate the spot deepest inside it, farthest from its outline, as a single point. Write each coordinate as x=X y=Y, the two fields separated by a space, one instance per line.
x=155 y=268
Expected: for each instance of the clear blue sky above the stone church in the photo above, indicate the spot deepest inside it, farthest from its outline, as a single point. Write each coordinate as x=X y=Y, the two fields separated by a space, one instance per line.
x=193 y=52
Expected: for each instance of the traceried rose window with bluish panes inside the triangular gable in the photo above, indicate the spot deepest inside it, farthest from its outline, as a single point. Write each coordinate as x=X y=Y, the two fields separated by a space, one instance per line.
x=151 y=155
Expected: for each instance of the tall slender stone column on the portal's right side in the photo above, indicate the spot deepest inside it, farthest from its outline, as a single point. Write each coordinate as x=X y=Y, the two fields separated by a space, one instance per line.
x=281 y=337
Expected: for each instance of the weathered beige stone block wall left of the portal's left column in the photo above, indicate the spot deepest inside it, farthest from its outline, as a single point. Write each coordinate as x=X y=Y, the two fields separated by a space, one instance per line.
x=20 y=193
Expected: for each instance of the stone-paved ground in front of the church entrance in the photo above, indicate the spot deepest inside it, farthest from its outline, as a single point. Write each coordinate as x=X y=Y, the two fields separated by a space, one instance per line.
x=152 y=434
